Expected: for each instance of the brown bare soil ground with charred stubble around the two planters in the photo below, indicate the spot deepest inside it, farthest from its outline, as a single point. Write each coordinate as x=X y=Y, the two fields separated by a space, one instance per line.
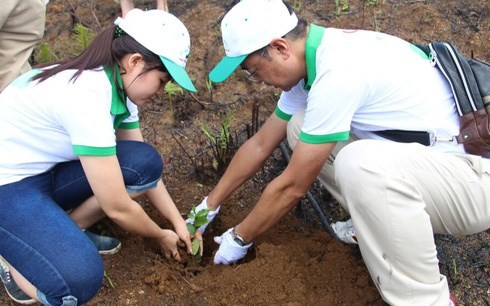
x=297 y=262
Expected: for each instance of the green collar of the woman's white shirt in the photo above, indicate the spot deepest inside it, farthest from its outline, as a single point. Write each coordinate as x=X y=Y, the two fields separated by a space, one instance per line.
x=118 y=104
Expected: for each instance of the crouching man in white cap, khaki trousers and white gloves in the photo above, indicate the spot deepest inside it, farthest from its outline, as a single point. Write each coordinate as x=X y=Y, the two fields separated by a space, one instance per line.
x=339 y=86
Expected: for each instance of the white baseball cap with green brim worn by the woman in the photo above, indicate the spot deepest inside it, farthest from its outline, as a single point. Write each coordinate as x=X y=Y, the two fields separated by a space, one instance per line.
x=163 y=34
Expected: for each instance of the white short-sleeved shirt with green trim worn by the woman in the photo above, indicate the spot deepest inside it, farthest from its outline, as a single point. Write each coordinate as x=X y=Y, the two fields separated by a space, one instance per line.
x=43 y=124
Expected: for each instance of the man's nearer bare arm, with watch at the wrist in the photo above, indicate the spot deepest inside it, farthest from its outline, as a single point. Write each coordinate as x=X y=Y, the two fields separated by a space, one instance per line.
x=284 y=192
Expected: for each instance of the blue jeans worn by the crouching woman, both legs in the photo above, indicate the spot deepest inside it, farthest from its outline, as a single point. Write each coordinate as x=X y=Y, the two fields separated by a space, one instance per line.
x=40 y=240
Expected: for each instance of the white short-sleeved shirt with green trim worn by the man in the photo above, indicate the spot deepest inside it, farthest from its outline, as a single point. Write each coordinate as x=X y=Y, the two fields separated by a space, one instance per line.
x=369 y=81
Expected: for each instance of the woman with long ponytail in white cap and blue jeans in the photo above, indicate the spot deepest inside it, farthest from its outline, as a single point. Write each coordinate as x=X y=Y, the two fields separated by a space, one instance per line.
x=70 y=141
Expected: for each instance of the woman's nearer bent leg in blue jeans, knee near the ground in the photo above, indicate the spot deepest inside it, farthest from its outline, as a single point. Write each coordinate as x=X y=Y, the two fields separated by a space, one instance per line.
x=45 y=246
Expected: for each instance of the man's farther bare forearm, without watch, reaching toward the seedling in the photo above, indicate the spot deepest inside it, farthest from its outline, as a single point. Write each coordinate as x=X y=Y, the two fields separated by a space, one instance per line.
x=248 y=159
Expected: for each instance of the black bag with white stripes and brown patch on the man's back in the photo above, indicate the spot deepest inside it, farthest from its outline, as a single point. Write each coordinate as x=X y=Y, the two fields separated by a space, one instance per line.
x=470 y=83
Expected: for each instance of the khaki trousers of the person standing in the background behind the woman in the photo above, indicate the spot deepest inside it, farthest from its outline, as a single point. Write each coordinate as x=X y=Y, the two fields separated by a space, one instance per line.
x=21 y=28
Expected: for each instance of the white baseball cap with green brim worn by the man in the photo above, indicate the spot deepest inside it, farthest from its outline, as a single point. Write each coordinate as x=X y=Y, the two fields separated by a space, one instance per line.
x=249 y=26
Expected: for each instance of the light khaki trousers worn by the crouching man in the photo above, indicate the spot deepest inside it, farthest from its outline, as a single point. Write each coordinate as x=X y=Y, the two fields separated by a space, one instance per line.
x=398 y=196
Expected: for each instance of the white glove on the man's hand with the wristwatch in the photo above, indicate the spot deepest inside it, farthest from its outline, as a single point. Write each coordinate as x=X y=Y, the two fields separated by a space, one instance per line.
x=229 y=251
